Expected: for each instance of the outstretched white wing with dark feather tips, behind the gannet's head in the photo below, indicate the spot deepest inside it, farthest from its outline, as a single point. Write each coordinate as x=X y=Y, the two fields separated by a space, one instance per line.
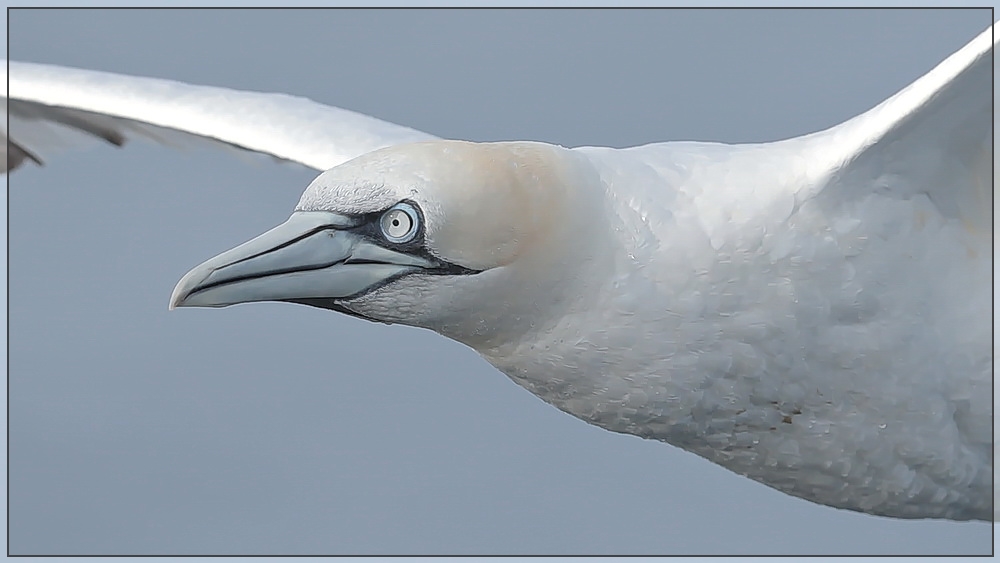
x=51 y=106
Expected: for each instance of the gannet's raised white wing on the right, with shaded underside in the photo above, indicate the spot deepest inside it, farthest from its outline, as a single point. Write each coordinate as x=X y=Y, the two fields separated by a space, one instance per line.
x=934 y=137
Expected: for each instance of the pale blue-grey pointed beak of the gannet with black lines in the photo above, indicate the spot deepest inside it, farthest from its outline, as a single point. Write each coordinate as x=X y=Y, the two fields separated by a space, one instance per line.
x=313 y=255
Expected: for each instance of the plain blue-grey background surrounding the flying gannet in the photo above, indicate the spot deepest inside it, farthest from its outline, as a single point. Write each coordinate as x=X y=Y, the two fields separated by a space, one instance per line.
x=273 y=428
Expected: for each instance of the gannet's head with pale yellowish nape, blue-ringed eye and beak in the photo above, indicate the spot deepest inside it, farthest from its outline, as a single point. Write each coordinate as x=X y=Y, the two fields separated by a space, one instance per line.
x=471 y=240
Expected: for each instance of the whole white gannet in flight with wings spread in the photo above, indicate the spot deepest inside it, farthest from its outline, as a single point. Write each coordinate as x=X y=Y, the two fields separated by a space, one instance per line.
x=742 y=302
